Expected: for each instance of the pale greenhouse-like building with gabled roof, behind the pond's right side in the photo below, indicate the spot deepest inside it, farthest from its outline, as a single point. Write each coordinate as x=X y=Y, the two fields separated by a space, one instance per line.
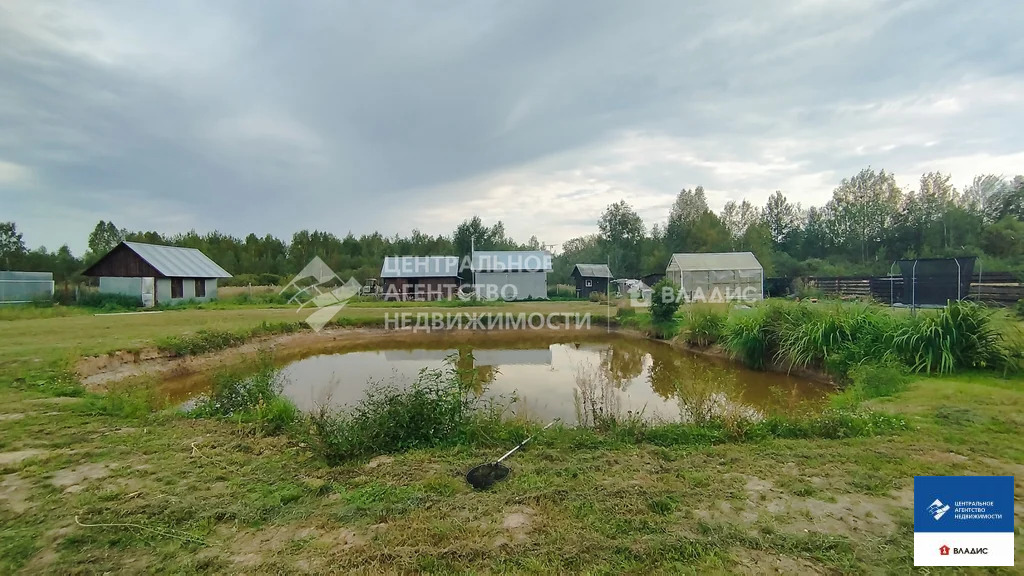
x=717 y=277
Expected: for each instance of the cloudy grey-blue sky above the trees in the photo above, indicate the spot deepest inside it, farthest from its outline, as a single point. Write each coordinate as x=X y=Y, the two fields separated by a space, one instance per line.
x=361 y=115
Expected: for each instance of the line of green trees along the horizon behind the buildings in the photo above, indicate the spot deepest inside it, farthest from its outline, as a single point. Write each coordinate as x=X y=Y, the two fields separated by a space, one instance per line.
x=869 y=223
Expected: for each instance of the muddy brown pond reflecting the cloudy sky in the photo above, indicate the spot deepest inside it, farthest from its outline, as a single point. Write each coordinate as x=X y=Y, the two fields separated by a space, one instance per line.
x=544 y=379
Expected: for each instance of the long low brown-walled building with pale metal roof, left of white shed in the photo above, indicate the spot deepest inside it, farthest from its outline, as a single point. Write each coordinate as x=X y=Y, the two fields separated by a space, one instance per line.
x=420 y=278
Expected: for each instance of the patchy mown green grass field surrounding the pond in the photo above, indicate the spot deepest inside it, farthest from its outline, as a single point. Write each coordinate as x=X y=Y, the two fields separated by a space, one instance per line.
x=100 y=484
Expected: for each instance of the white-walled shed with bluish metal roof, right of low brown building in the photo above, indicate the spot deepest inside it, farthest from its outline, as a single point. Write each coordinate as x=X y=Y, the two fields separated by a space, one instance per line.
x=511 y=275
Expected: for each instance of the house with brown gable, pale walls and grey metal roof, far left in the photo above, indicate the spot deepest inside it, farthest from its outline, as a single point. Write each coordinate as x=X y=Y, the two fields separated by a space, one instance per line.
x=157 y=275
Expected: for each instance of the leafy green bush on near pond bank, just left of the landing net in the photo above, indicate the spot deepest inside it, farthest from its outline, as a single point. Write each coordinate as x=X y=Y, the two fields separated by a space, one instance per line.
x=436 y=409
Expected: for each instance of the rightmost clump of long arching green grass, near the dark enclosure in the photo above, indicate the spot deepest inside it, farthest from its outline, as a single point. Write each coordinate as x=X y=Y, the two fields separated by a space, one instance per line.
x=961 y=336
